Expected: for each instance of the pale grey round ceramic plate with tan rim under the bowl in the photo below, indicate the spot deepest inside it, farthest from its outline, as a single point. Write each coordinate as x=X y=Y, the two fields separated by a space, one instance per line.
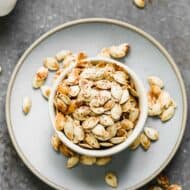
x=31 y=134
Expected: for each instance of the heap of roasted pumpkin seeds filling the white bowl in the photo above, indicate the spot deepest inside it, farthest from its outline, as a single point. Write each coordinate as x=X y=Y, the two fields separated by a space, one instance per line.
x=96 y=105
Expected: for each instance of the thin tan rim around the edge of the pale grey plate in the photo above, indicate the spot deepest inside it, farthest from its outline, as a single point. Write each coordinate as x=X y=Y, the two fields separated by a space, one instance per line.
x=96 y=20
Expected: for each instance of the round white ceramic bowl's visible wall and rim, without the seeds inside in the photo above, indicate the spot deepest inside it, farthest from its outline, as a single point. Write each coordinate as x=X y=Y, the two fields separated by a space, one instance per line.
x=117 y=148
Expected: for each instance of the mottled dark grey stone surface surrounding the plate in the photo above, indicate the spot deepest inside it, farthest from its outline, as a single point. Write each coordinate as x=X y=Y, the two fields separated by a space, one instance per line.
x=167 y=20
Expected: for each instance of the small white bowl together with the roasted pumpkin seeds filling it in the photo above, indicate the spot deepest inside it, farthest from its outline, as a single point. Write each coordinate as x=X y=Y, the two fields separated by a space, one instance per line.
x=98 y=106
